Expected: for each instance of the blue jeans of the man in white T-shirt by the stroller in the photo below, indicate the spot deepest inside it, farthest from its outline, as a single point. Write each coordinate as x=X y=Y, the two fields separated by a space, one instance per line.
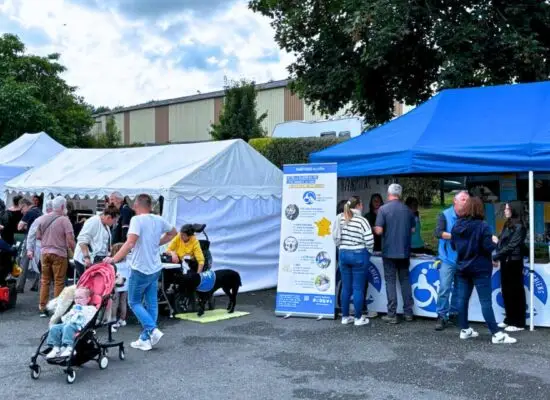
x=143 y=289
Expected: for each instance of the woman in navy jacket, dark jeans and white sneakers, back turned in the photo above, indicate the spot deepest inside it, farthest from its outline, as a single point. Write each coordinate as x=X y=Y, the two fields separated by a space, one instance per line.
x=472 y=239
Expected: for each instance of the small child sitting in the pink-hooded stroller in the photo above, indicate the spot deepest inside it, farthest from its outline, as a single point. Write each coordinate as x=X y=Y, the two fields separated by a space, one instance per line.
x=61 y=336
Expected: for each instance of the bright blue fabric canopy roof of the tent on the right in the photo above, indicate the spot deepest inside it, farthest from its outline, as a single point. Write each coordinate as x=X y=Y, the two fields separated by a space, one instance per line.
x=476 y=130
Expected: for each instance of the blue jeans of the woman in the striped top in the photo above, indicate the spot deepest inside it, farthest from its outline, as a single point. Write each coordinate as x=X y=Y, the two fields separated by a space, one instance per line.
x=353 y=269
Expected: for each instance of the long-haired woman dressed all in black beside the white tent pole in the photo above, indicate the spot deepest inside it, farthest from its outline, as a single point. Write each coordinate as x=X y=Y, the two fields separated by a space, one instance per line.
x=510 y=255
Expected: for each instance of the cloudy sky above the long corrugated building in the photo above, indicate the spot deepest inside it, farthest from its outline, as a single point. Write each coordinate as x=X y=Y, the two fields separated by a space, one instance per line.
x=124 y=52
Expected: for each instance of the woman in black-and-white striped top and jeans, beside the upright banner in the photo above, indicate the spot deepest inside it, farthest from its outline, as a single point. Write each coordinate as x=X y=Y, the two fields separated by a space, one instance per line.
x=356 y=243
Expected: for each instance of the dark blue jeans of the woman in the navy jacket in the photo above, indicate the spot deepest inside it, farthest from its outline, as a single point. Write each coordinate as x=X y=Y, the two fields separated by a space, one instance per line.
x=482 y=281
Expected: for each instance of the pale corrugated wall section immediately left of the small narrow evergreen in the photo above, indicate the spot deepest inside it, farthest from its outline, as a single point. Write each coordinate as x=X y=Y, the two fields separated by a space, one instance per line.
x=191 y=121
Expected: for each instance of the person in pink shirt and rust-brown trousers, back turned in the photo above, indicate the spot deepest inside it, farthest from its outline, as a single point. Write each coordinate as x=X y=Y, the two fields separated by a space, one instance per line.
x=55 y=232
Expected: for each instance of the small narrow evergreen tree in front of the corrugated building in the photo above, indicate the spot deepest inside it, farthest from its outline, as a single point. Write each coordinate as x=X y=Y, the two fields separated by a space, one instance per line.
x=239 y=118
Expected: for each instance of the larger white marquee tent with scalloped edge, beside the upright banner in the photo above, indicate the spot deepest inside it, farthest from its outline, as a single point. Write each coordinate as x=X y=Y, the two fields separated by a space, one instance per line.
x=226 y=185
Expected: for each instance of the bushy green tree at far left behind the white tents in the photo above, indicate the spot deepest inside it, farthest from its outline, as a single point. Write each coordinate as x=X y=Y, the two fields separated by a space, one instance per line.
x=34 y=97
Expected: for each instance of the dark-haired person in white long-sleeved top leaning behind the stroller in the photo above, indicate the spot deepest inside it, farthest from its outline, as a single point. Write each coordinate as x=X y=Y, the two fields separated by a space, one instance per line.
x=94 y=239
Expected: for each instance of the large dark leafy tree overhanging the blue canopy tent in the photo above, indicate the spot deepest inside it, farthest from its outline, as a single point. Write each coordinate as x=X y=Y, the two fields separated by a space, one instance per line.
x=372 y=53
